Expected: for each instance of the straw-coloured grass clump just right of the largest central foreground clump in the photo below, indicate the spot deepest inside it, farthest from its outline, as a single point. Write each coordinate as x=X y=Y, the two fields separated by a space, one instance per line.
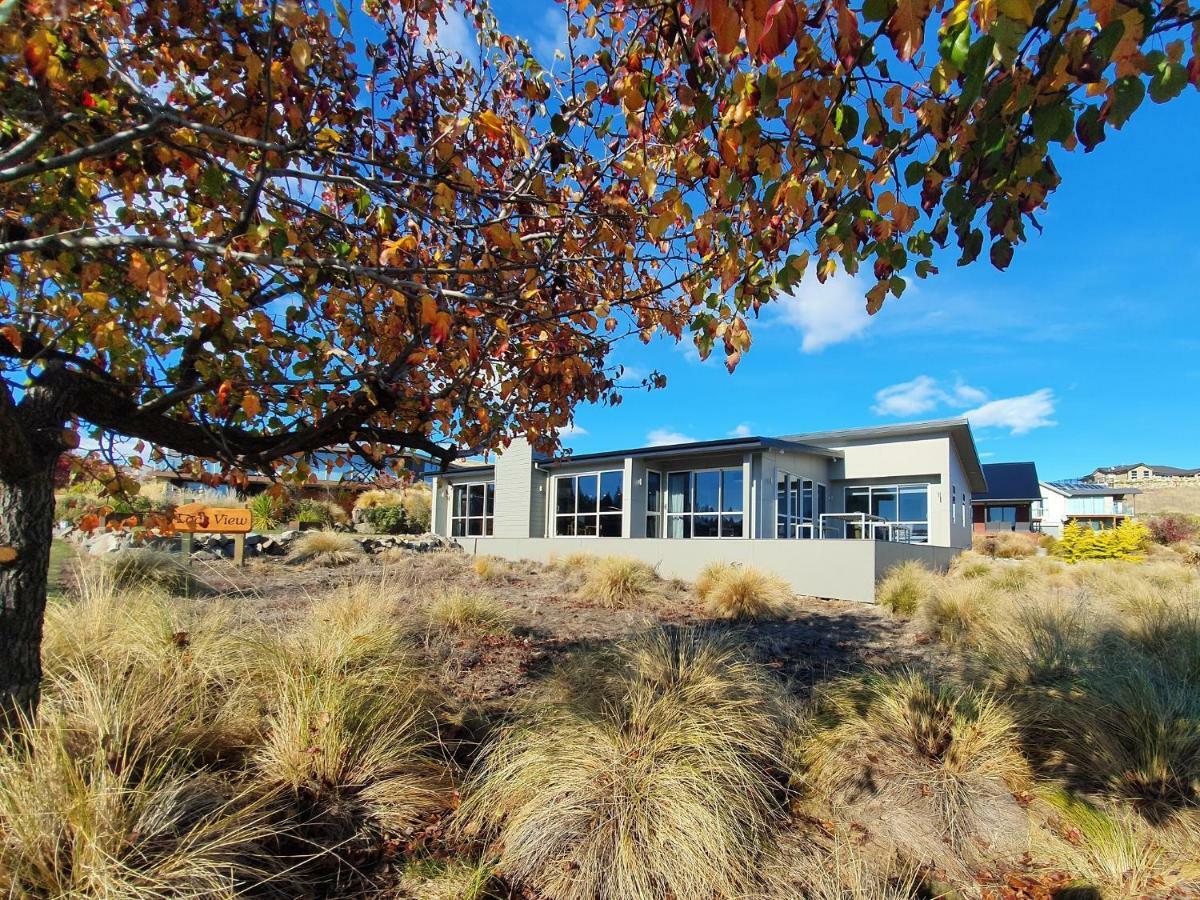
x=937 y=761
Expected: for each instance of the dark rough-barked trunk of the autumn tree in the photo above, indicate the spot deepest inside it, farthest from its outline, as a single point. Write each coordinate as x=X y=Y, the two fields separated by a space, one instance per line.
x=27 y=525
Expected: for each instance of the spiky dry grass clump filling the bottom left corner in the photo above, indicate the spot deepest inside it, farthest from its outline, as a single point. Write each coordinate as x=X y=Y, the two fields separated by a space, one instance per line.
x=106 y=823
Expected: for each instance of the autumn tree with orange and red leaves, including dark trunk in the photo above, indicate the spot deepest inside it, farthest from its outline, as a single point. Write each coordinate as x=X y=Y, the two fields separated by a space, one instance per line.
x=249 y=231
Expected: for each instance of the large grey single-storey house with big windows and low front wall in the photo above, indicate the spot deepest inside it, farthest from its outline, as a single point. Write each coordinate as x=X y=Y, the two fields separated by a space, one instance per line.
x=830 y=511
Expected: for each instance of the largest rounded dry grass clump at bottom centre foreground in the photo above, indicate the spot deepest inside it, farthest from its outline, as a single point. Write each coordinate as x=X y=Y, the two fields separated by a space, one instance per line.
x=655 y=775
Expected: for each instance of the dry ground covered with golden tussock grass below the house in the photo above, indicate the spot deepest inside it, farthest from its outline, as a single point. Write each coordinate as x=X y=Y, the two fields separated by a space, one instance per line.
x=429 y=725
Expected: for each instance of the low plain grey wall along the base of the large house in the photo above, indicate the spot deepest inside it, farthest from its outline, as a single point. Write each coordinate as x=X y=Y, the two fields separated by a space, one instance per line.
x=833 y=569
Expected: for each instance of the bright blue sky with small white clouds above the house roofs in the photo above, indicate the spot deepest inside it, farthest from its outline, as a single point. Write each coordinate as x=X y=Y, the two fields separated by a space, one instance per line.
x=1085 y=352
